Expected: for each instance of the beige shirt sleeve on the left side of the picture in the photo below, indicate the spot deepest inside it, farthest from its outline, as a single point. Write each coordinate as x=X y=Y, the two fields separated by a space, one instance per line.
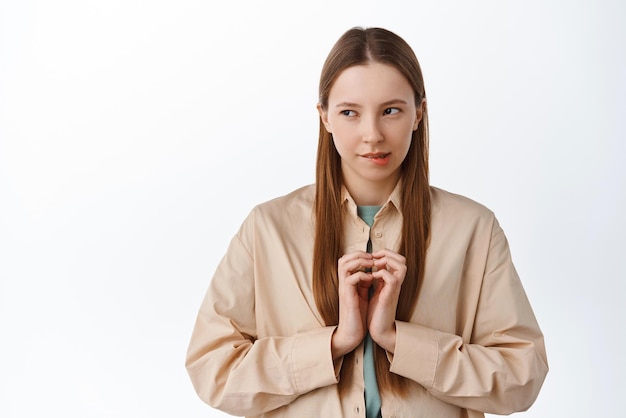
x=233 y=370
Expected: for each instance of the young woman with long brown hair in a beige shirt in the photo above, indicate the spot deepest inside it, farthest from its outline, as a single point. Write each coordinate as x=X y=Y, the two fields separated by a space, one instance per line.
x=370 y=293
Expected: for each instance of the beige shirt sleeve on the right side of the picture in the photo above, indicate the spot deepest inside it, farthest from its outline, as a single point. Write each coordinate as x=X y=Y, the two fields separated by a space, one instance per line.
x=502 y=368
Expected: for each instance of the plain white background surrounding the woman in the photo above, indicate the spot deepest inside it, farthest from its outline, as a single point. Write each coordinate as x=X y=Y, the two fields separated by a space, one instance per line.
x=135 y=136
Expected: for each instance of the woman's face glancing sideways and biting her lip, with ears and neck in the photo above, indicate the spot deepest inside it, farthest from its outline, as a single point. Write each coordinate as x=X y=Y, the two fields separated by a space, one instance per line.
x=371 y=115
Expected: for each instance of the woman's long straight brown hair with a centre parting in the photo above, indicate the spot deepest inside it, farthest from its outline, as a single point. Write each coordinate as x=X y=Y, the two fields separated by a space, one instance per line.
x=360 y=46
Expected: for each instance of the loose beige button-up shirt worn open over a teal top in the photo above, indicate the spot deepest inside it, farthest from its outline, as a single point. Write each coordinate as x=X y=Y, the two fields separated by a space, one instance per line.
x=260 y=347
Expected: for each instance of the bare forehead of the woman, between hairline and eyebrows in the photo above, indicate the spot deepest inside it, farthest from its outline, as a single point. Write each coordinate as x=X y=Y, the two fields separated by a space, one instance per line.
x=370 y=82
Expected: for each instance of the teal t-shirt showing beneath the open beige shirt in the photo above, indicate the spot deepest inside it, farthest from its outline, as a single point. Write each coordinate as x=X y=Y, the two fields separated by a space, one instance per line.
x=372 y=396
